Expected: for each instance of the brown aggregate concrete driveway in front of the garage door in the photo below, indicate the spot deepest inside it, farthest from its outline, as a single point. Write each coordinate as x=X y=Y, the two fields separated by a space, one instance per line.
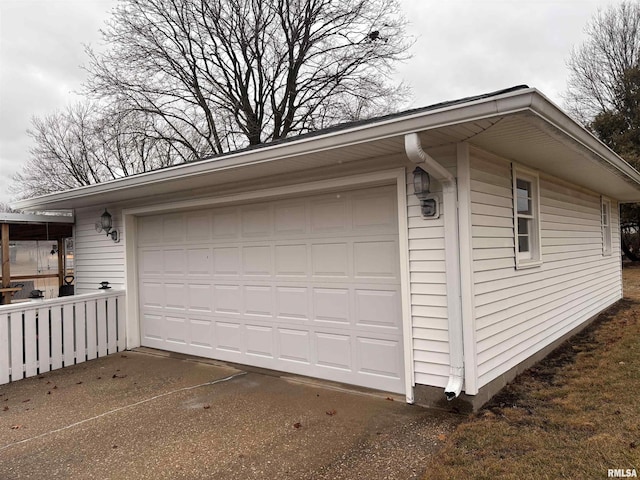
x=142 y=415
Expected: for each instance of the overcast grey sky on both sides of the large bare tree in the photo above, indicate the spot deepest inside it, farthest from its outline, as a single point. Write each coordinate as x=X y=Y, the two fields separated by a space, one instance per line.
x=462 y=48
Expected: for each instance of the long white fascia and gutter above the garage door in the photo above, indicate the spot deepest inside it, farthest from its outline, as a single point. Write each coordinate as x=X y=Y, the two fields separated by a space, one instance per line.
x=448 y=115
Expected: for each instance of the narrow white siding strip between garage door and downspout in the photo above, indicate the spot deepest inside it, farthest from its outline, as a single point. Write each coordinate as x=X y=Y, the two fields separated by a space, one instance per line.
x=428 y=283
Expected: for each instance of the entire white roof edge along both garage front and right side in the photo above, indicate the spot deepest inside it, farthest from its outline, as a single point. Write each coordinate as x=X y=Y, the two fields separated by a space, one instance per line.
x=501 y=103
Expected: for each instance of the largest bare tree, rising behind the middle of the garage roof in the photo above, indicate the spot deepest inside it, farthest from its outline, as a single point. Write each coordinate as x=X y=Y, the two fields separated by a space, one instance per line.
x=217 y=75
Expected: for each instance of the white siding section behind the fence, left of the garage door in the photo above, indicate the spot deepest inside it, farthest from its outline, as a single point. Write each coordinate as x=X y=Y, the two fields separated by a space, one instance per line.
x=97 y=257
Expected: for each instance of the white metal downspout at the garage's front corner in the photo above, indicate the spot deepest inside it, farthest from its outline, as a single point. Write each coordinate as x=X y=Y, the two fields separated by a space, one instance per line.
x=415 y=153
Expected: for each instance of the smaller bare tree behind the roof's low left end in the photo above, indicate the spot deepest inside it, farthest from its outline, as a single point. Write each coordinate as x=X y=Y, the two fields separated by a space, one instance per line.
x=85 y=145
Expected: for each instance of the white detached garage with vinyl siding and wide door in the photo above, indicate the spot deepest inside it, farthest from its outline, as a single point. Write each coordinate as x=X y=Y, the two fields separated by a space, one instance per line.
x=434 y=253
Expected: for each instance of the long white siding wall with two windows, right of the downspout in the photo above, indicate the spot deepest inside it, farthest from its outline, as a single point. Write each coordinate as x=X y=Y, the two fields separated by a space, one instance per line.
x=518 y=312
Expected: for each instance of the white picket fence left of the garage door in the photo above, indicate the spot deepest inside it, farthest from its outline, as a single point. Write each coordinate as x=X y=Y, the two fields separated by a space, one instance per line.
x=38 y=337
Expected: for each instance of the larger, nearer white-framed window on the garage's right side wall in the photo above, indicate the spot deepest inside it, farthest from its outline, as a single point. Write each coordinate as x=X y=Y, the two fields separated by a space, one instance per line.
x=526 y=218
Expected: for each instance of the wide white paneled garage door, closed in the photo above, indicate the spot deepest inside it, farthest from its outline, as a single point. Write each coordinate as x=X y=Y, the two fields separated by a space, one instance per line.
x=309 y=286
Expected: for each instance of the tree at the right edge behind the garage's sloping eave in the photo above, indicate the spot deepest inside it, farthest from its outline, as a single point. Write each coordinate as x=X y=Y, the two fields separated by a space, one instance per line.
x=604 y=93
